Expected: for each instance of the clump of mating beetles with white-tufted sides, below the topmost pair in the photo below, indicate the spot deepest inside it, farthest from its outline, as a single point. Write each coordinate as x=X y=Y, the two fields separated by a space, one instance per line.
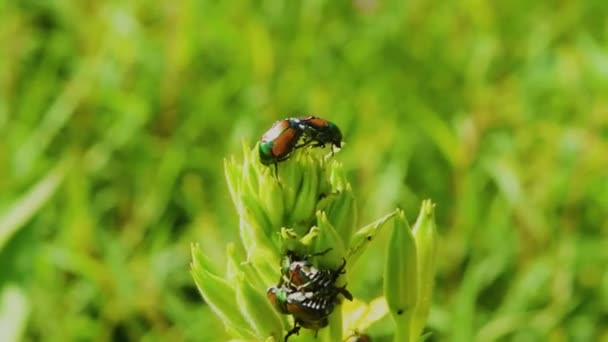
x=306 y=292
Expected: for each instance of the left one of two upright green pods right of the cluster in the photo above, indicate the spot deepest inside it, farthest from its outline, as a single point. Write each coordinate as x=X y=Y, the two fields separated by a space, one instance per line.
x=401 y=277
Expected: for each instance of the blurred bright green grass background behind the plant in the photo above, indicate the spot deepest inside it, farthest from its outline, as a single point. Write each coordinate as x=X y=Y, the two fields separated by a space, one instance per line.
x=116 y=116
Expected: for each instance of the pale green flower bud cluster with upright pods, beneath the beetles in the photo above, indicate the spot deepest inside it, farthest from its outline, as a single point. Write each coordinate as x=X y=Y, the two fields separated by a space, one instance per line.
x=307 y=208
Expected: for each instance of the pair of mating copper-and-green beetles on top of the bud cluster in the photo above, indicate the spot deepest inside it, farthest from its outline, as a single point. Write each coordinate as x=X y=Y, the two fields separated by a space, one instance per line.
x=287 y=135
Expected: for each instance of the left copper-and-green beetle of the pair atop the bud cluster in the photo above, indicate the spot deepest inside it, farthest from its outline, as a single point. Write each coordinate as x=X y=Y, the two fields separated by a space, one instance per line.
x=280 y=141
